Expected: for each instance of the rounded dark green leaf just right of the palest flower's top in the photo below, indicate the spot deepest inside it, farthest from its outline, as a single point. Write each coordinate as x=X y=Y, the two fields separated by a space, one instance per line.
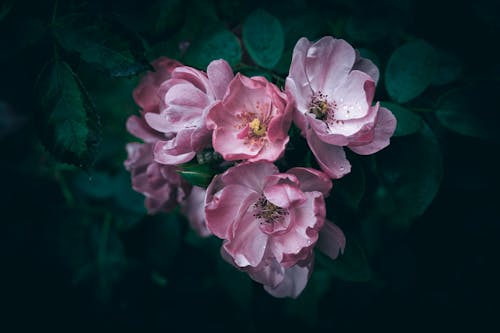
x=410 y=70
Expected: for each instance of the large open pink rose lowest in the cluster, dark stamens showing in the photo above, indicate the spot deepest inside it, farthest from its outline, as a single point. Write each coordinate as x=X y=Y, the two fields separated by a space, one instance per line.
x=264 y=215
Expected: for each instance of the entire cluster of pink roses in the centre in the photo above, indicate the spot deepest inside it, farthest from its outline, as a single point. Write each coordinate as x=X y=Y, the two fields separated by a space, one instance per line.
x=270 y=220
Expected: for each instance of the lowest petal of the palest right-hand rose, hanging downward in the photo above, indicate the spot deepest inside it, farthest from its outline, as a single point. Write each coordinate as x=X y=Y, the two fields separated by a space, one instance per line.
x=330 y=158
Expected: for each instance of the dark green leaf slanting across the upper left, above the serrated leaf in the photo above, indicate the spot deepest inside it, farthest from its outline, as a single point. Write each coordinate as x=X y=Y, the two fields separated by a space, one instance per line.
x=108 y=48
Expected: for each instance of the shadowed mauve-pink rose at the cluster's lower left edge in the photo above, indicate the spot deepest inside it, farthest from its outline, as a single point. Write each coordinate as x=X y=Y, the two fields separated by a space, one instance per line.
x=161 y=184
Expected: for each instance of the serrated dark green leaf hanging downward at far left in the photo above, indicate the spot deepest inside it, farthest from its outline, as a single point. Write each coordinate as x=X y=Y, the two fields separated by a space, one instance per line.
x=68 y=123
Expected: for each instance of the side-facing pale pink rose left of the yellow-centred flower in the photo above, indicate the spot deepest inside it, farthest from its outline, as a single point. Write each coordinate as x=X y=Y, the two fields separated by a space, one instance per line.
x=186 y=98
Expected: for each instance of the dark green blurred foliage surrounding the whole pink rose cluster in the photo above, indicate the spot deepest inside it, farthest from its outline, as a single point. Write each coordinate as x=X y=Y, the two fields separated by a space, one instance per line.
x=421 y=217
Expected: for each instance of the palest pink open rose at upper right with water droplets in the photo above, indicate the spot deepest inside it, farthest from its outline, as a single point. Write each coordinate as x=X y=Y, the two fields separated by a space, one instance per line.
x=333 y=88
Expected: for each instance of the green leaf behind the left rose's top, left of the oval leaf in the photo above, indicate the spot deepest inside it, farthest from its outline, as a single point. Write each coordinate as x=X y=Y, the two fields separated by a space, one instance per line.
x=215 y=43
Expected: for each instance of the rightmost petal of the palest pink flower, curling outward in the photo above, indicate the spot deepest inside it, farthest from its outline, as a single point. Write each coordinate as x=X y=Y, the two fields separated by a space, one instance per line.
x=384 y=129
